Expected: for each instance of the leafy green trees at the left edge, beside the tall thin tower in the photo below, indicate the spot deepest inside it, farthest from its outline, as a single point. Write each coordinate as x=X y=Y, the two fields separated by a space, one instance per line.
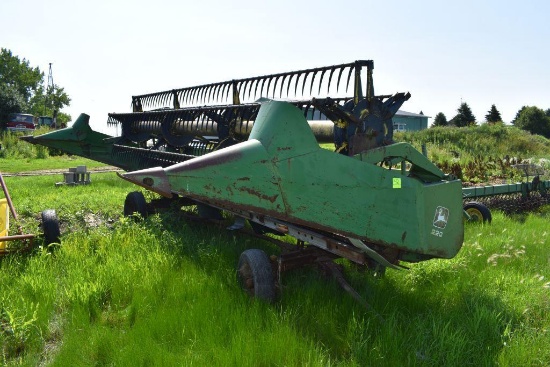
x=22 y=90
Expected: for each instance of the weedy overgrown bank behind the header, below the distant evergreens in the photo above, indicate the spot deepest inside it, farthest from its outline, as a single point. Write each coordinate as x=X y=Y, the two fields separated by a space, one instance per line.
x=482 y=153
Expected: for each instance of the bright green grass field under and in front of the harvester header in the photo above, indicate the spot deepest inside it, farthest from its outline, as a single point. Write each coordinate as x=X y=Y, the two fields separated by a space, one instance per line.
x=163 y=292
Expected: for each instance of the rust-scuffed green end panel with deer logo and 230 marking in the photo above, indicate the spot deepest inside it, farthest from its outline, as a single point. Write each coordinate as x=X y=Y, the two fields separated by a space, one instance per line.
x=281 y=172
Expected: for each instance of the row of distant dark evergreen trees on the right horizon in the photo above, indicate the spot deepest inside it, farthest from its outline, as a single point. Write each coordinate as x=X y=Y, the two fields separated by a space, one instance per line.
x=530 y=118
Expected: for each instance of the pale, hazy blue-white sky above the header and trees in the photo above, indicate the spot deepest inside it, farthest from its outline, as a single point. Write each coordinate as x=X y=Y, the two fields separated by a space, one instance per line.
x=103 y=52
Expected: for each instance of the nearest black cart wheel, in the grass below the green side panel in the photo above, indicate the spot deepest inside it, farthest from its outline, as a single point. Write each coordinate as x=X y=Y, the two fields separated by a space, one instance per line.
x=255 y=275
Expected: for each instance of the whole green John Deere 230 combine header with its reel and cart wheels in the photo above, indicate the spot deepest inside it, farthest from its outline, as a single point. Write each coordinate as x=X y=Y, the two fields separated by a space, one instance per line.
x=373 y=201
